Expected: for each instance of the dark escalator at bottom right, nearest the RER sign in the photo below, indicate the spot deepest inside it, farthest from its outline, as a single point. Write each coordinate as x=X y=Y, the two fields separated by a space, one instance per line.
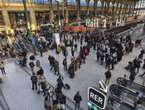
x=121 y=98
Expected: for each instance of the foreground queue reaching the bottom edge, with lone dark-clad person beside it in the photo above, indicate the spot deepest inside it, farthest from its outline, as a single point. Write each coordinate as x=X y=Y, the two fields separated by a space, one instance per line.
x=54 y=97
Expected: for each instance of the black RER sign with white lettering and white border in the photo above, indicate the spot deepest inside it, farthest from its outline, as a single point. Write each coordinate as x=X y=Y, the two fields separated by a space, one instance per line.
x=97 y=97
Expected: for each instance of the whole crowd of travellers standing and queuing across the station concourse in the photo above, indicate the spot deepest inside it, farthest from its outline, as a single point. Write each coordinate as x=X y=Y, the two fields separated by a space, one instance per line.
x=109 y=51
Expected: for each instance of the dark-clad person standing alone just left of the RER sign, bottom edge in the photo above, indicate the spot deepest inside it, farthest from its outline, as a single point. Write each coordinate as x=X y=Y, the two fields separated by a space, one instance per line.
x=77 y=99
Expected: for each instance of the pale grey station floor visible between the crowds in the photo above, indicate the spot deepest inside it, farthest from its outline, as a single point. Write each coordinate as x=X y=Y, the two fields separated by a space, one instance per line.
x=17 y=91
